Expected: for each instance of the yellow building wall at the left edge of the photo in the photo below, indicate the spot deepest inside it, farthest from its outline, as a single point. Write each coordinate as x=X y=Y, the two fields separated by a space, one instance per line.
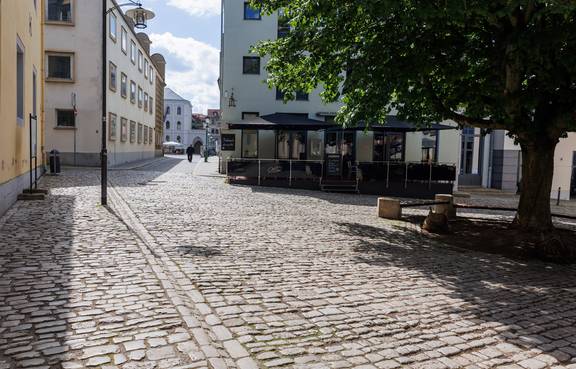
x=21 y=94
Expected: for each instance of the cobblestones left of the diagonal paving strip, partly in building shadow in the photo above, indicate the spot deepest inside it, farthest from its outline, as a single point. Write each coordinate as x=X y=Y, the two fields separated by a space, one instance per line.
x=77 y=290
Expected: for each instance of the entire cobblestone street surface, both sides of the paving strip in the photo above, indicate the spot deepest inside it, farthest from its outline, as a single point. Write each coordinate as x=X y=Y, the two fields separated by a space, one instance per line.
x=188 y=271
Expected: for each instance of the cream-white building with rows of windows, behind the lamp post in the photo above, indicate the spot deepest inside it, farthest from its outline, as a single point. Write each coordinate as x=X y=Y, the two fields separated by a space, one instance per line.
x=74 y=65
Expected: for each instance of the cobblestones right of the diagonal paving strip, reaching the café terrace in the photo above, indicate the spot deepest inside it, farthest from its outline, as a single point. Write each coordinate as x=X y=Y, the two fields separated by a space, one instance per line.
x=311 y=280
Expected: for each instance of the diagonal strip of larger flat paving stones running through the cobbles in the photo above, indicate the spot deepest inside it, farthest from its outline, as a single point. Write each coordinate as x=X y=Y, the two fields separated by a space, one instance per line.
x=165 y=268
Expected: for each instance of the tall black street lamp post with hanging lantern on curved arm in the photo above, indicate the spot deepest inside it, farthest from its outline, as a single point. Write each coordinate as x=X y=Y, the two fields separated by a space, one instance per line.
x=140 y=17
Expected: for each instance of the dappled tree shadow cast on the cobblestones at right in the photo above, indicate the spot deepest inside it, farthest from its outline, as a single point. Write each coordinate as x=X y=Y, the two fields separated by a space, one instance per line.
x=533 y=301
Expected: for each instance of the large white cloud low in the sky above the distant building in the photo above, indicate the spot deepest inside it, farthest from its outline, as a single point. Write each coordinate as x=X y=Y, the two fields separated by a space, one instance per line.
x=198 y=82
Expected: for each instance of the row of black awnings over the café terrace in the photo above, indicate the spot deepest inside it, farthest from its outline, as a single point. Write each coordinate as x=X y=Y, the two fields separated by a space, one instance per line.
x=289 y=121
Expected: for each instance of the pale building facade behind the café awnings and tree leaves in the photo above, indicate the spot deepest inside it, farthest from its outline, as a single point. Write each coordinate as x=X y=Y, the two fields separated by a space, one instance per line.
x=257 y=124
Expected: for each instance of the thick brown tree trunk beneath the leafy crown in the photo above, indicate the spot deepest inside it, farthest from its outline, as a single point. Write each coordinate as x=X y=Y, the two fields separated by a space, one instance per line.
x=537 y=172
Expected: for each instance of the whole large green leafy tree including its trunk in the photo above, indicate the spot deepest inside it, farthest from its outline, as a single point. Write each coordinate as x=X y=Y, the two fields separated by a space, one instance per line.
x=493 y=64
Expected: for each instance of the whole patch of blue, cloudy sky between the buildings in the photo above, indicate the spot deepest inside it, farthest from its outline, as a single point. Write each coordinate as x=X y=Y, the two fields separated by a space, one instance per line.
x=187 y=33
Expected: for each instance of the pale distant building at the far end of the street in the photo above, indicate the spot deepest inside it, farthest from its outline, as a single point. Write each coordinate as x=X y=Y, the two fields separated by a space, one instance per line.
x=178 y=123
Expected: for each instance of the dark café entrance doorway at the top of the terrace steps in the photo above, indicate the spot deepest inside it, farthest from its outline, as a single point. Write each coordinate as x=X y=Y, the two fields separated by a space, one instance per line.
x=340 y=155
